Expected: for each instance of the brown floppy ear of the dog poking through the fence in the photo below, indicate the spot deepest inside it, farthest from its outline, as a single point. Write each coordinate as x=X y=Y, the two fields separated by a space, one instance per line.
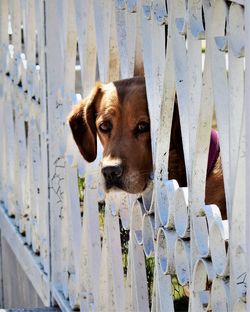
x=82 y=124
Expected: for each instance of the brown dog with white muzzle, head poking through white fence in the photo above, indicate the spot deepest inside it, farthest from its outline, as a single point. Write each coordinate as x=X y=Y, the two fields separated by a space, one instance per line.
x=117 y=113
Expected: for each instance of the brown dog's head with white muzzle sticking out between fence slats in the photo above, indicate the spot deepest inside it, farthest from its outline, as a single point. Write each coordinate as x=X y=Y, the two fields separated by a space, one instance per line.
x=117 y=112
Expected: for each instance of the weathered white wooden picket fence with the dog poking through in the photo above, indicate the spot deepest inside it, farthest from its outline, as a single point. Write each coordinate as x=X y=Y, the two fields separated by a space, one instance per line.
x=58 y=245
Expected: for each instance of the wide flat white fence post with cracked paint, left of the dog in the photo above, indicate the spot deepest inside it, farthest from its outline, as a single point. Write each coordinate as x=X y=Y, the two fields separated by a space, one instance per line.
x=54 y=79
